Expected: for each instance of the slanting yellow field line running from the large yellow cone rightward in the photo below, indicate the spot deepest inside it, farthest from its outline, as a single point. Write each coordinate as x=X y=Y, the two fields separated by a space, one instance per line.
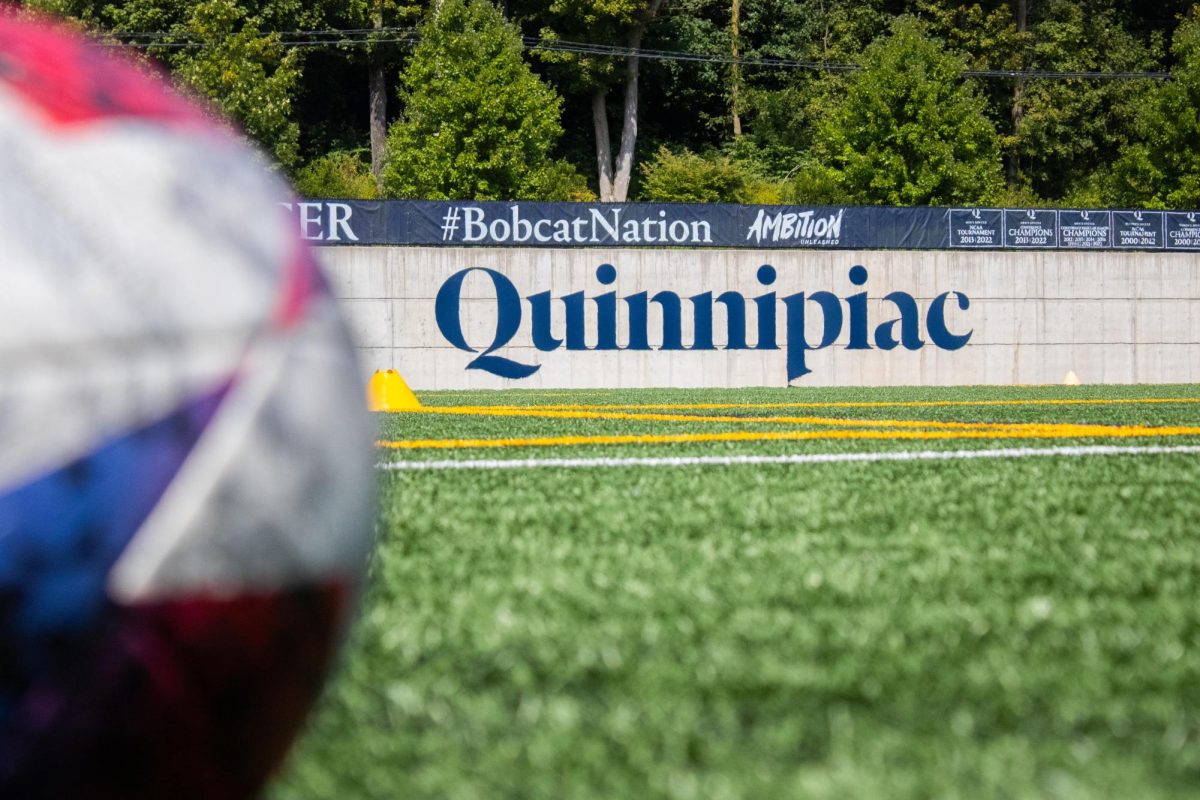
x=555 y=414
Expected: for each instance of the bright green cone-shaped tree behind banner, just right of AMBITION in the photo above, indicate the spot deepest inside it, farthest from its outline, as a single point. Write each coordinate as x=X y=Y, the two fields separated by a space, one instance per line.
x=907 y=130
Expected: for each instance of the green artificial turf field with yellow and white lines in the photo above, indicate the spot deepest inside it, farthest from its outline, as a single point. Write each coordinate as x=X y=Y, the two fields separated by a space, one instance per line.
x=644 y=612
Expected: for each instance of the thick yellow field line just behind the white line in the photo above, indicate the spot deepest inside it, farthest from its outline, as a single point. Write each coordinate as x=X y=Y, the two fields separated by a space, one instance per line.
x=1043 y=432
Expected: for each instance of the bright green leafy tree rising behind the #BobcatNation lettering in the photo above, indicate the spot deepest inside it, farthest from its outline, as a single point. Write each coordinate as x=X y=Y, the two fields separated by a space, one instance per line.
x=477 y=124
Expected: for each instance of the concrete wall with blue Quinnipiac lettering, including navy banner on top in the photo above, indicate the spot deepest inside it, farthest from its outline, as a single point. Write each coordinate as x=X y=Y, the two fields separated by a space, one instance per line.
x=485 y=296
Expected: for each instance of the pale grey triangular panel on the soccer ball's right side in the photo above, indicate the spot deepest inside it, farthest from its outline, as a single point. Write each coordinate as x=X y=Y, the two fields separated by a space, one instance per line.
x=269 y=497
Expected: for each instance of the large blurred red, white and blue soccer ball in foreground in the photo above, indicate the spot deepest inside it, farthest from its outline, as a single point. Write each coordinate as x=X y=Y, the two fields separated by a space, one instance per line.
x=185 y=462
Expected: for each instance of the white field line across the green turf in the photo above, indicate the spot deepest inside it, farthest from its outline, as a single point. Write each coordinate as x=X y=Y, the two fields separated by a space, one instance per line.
x=796 y=459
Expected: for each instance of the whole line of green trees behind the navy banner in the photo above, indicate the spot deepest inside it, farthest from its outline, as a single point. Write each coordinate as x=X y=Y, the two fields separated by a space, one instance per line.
x=1022 y=103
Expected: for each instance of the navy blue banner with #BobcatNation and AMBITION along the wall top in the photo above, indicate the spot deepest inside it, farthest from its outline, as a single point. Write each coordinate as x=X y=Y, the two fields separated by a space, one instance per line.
x=671 y=225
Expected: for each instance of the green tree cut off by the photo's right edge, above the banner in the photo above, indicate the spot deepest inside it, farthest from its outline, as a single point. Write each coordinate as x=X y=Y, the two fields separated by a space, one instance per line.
x=1162 y=169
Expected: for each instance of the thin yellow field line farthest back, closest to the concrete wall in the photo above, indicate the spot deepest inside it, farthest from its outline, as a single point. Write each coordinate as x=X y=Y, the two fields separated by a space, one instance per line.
x=715 y=407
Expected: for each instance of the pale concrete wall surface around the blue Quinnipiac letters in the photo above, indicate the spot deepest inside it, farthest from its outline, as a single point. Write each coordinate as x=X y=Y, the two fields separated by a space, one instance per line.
x=1111 y=317
